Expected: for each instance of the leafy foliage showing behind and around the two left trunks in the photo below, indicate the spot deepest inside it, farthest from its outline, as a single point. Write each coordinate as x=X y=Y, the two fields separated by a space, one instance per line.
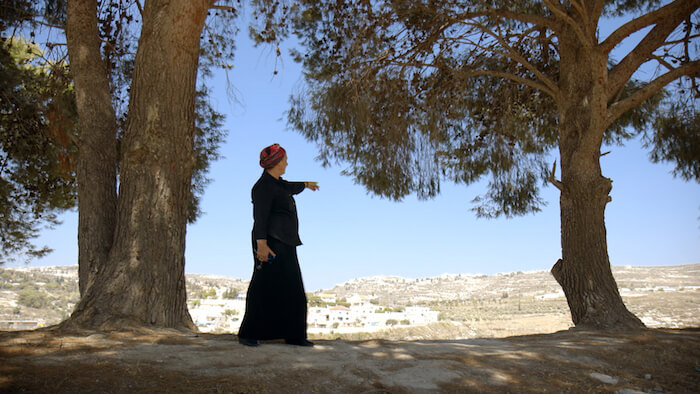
x=39 y=116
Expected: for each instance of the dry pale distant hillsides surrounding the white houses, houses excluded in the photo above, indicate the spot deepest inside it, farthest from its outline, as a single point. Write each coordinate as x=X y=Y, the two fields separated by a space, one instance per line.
x=483 y=305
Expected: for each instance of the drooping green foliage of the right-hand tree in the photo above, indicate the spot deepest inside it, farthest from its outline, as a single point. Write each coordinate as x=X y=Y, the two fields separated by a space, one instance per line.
x=408 y=94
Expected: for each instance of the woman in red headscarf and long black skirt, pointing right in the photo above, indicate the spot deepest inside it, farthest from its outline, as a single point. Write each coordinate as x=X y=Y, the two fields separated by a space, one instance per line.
x=276 y=301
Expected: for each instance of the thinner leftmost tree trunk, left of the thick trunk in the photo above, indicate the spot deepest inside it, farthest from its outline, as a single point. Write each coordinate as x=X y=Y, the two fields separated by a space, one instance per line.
x=97 y=160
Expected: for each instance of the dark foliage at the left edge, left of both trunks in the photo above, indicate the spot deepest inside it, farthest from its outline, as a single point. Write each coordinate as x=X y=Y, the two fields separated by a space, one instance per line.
x=37 y=134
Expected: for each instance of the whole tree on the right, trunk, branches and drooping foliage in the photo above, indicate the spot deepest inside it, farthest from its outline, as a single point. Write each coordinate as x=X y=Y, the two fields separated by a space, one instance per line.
x=412 y=93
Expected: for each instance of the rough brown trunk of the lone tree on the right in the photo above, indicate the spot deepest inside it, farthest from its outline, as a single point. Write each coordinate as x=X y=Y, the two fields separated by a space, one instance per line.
x=584 y=270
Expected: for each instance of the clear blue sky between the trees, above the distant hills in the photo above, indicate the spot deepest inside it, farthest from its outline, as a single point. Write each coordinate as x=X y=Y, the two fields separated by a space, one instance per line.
x=653 y=219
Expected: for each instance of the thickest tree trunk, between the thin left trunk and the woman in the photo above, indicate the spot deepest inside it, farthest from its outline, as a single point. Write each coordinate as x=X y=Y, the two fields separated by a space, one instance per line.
x=143 y=282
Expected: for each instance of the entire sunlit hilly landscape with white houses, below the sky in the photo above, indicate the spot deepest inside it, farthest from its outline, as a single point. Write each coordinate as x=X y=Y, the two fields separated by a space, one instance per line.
x=446 y=306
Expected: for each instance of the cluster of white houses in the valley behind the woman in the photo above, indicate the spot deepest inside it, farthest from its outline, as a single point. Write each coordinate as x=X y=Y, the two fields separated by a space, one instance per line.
x=356 y=314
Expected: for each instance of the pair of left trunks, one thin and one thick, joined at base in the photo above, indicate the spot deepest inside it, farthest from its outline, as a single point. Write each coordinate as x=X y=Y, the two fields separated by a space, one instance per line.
x=135 y=238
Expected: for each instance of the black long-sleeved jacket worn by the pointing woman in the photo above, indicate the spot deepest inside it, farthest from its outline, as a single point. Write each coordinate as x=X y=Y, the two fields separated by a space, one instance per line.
x=274 y=209
